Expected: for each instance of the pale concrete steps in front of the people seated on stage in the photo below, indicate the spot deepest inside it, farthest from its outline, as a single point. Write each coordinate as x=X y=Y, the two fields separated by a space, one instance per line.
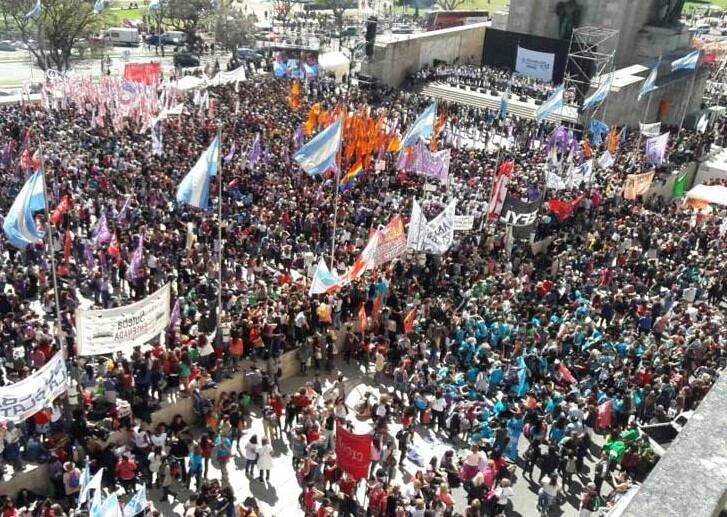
x=479 y=99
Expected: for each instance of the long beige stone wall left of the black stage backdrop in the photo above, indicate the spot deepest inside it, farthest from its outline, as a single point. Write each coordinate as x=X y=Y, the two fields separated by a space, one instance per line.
x=393 y=61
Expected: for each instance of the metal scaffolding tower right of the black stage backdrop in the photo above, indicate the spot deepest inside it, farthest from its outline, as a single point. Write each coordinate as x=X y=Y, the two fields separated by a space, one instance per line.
x=591 y=56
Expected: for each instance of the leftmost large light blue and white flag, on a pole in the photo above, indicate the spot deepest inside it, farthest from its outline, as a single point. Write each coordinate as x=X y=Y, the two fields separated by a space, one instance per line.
x=19 y=225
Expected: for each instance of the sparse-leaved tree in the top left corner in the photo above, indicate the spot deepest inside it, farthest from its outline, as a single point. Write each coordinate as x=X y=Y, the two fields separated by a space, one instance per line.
x=57 y=28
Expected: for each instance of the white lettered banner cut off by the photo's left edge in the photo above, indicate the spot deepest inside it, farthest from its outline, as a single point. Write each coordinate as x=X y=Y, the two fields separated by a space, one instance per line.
x=28 y=396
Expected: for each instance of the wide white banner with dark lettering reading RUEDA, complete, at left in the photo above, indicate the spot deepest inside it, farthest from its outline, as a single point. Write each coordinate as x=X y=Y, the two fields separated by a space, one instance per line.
x=122 y=328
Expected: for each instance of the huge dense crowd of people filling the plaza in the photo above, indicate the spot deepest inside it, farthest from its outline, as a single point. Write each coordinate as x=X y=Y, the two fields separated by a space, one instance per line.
x=519 y=361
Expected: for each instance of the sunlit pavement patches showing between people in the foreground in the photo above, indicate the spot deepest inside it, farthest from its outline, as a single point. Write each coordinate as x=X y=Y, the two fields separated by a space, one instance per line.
x=280 y=496
